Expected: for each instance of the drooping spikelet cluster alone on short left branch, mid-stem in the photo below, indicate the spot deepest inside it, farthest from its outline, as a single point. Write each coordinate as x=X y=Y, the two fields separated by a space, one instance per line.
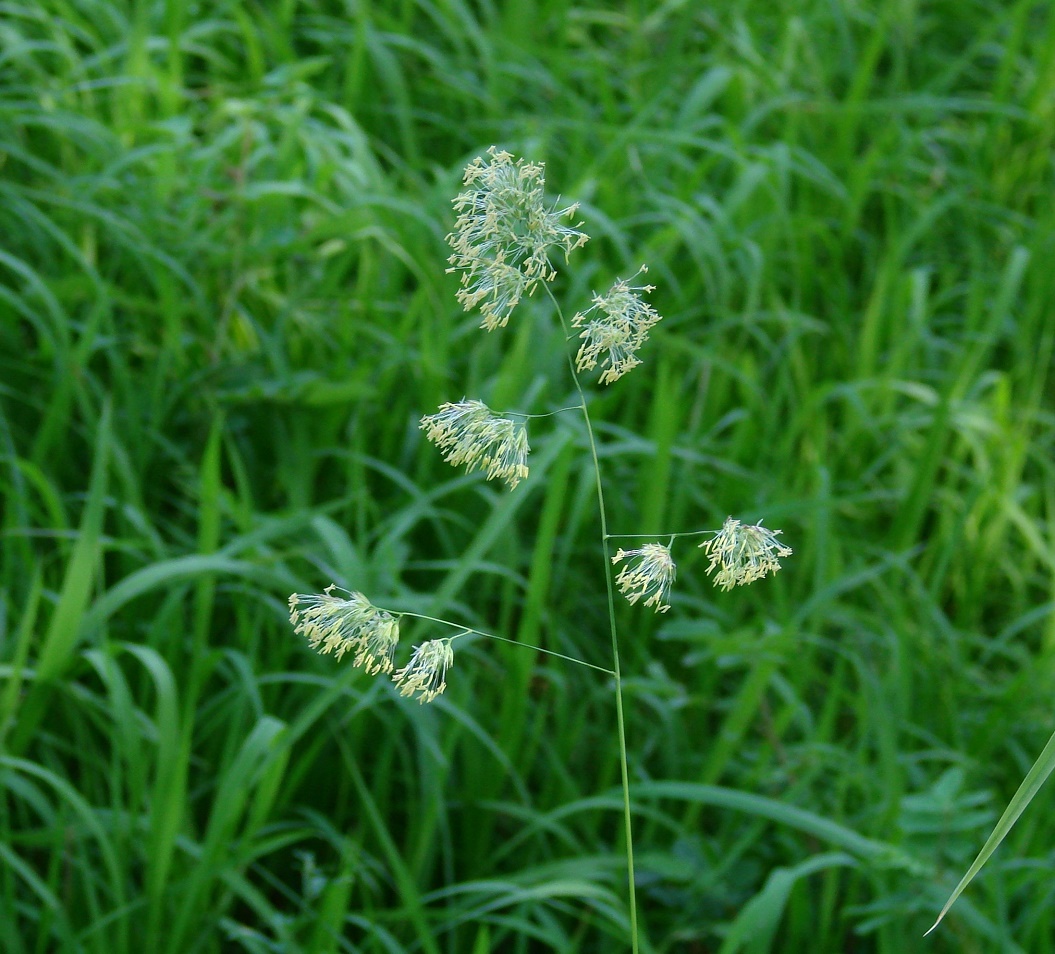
x=469 y=433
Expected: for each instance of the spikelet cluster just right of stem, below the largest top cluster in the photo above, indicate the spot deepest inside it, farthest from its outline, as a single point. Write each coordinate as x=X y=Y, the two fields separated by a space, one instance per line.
x=619 y=330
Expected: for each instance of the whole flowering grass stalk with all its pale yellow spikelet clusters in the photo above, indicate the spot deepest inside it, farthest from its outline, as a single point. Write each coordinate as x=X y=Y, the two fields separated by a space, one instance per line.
x=503 y=241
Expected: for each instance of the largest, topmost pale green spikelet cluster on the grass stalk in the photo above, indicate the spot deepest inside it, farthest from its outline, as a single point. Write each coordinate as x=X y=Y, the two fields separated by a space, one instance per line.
x=505 y=234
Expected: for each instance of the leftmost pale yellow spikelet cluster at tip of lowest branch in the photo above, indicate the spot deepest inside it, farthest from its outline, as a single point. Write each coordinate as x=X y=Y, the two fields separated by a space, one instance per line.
x=339 y=626
